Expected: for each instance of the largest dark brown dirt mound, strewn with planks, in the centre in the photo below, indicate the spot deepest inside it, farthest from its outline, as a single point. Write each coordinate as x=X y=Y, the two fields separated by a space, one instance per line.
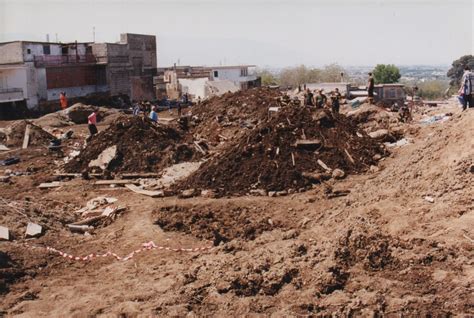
x=274 y=157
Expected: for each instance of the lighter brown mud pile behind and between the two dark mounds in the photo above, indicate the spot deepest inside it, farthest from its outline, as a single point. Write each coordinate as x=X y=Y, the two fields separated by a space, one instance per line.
x=226 y=115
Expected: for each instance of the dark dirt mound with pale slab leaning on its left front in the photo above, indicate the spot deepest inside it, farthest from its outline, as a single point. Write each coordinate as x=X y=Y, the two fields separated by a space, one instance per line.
x=141 y=146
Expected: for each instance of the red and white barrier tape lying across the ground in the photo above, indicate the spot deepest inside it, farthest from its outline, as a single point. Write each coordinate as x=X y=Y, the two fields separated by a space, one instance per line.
x=146 y=247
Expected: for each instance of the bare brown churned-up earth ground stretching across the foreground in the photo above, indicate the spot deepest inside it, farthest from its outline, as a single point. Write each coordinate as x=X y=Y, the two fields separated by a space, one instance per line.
x=400 y=242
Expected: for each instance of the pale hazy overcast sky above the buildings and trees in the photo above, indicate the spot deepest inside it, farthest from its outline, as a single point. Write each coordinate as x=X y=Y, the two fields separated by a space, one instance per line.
x=271 y=33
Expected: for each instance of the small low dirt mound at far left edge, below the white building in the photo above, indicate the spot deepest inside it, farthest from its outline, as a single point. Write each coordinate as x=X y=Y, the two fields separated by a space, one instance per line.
x=15 y=134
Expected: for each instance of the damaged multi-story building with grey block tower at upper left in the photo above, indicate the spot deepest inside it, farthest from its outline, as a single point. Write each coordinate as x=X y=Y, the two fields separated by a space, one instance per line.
x=34 y=73
